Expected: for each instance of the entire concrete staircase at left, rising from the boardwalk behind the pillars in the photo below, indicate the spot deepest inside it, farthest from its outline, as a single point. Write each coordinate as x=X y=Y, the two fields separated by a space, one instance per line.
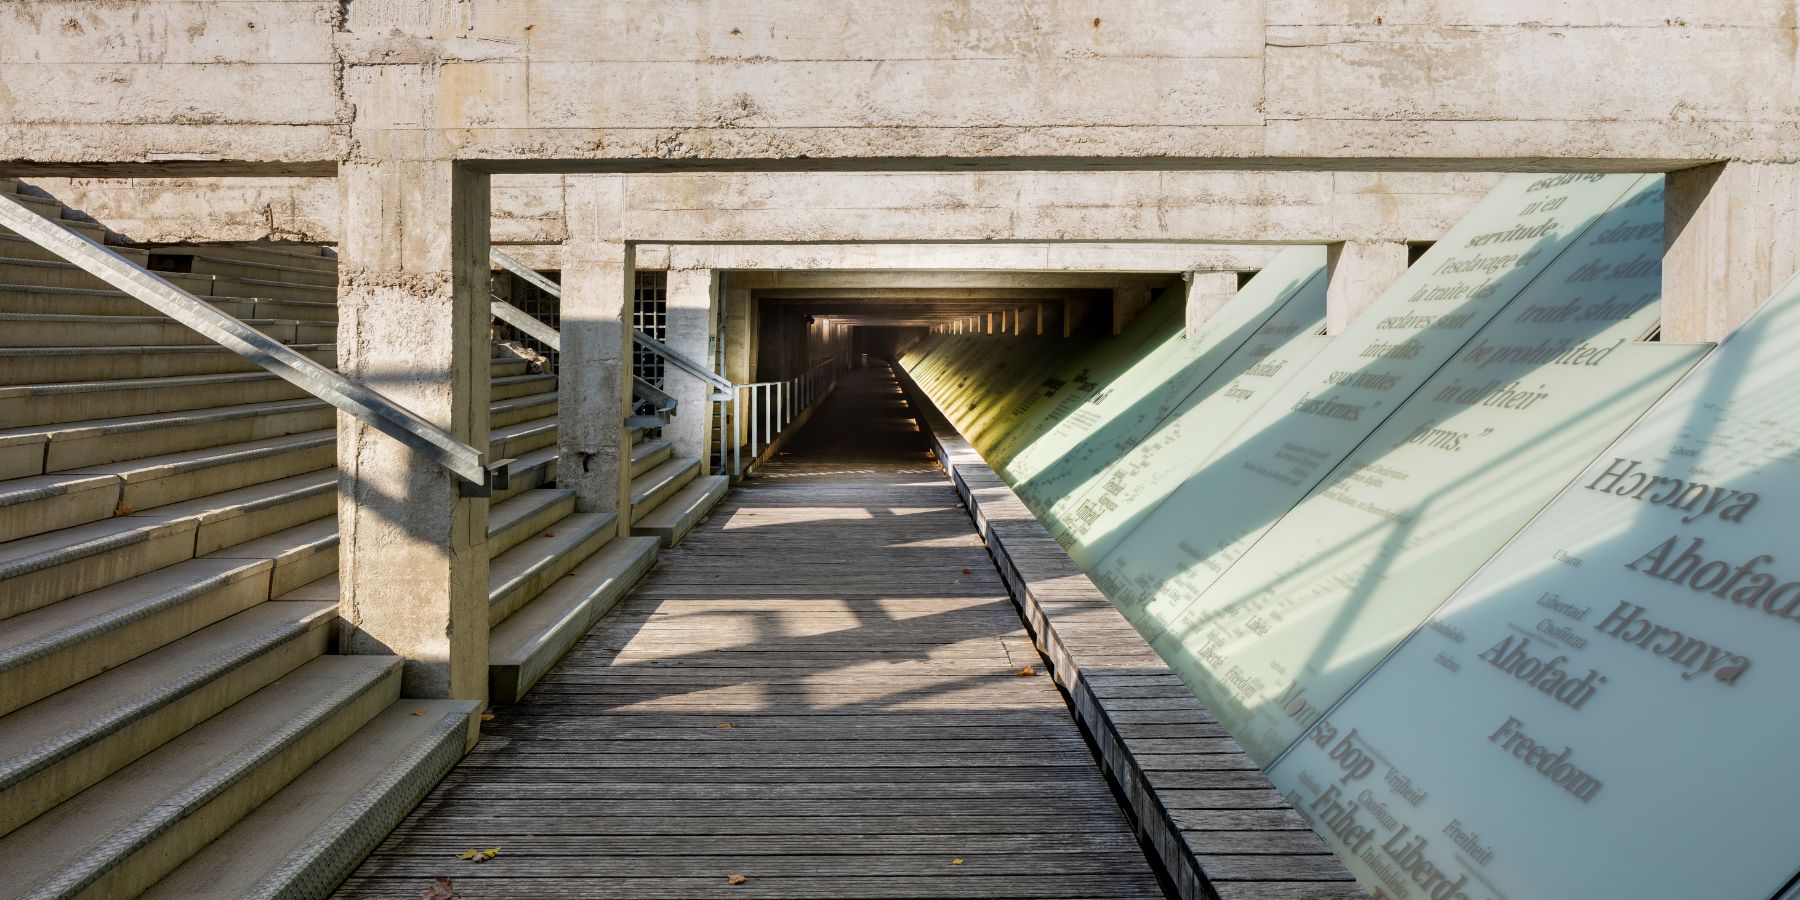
x=172 y=714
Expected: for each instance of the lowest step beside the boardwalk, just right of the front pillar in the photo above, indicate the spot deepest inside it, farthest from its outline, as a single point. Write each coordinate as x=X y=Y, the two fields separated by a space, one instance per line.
x=530 y=642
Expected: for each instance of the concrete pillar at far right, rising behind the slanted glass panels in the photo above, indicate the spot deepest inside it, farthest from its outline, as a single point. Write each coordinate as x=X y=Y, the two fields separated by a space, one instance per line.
x=1729 y=242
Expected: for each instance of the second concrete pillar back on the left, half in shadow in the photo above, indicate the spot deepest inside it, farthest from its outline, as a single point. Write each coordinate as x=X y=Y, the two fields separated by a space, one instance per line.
x=595 y=382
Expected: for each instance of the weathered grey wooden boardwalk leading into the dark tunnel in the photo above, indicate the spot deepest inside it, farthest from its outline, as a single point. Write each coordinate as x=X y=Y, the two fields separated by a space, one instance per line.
x=818 y=692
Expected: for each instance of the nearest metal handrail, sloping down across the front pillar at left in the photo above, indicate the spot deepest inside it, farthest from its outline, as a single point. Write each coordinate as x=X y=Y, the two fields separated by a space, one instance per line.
x=366 y=404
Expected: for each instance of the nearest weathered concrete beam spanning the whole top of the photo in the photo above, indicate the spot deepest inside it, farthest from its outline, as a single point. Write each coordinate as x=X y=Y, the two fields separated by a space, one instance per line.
x=269 y=85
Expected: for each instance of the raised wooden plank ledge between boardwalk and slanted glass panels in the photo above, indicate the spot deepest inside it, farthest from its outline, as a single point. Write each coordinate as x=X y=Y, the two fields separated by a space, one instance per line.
x=1218 y=823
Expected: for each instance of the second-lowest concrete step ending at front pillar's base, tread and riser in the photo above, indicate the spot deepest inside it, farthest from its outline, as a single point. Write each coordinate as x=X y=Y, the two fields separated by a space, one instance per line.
x=125 y=834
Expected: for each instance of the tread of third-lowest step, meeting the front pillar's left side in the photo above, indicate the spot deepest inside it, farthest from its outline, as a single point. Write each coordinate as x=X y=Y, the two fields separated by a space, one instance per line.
x=67 y=721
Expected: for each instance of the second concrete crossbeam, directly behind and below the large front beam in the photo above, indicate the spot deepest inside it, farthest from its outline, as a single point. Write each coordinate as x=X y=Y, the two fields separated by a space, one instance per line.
x=845 y=208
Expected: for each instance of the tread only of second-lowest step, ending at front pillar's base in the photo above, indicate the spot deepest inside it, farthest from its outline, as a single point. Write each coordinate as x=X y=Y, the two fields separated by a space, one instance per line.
x=80 y=840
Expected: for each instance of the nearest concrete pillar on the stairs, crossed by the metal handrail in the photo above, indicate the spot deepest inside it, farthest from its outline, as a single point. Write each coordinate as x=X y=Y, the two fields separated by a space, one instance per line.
x=413 y=323
